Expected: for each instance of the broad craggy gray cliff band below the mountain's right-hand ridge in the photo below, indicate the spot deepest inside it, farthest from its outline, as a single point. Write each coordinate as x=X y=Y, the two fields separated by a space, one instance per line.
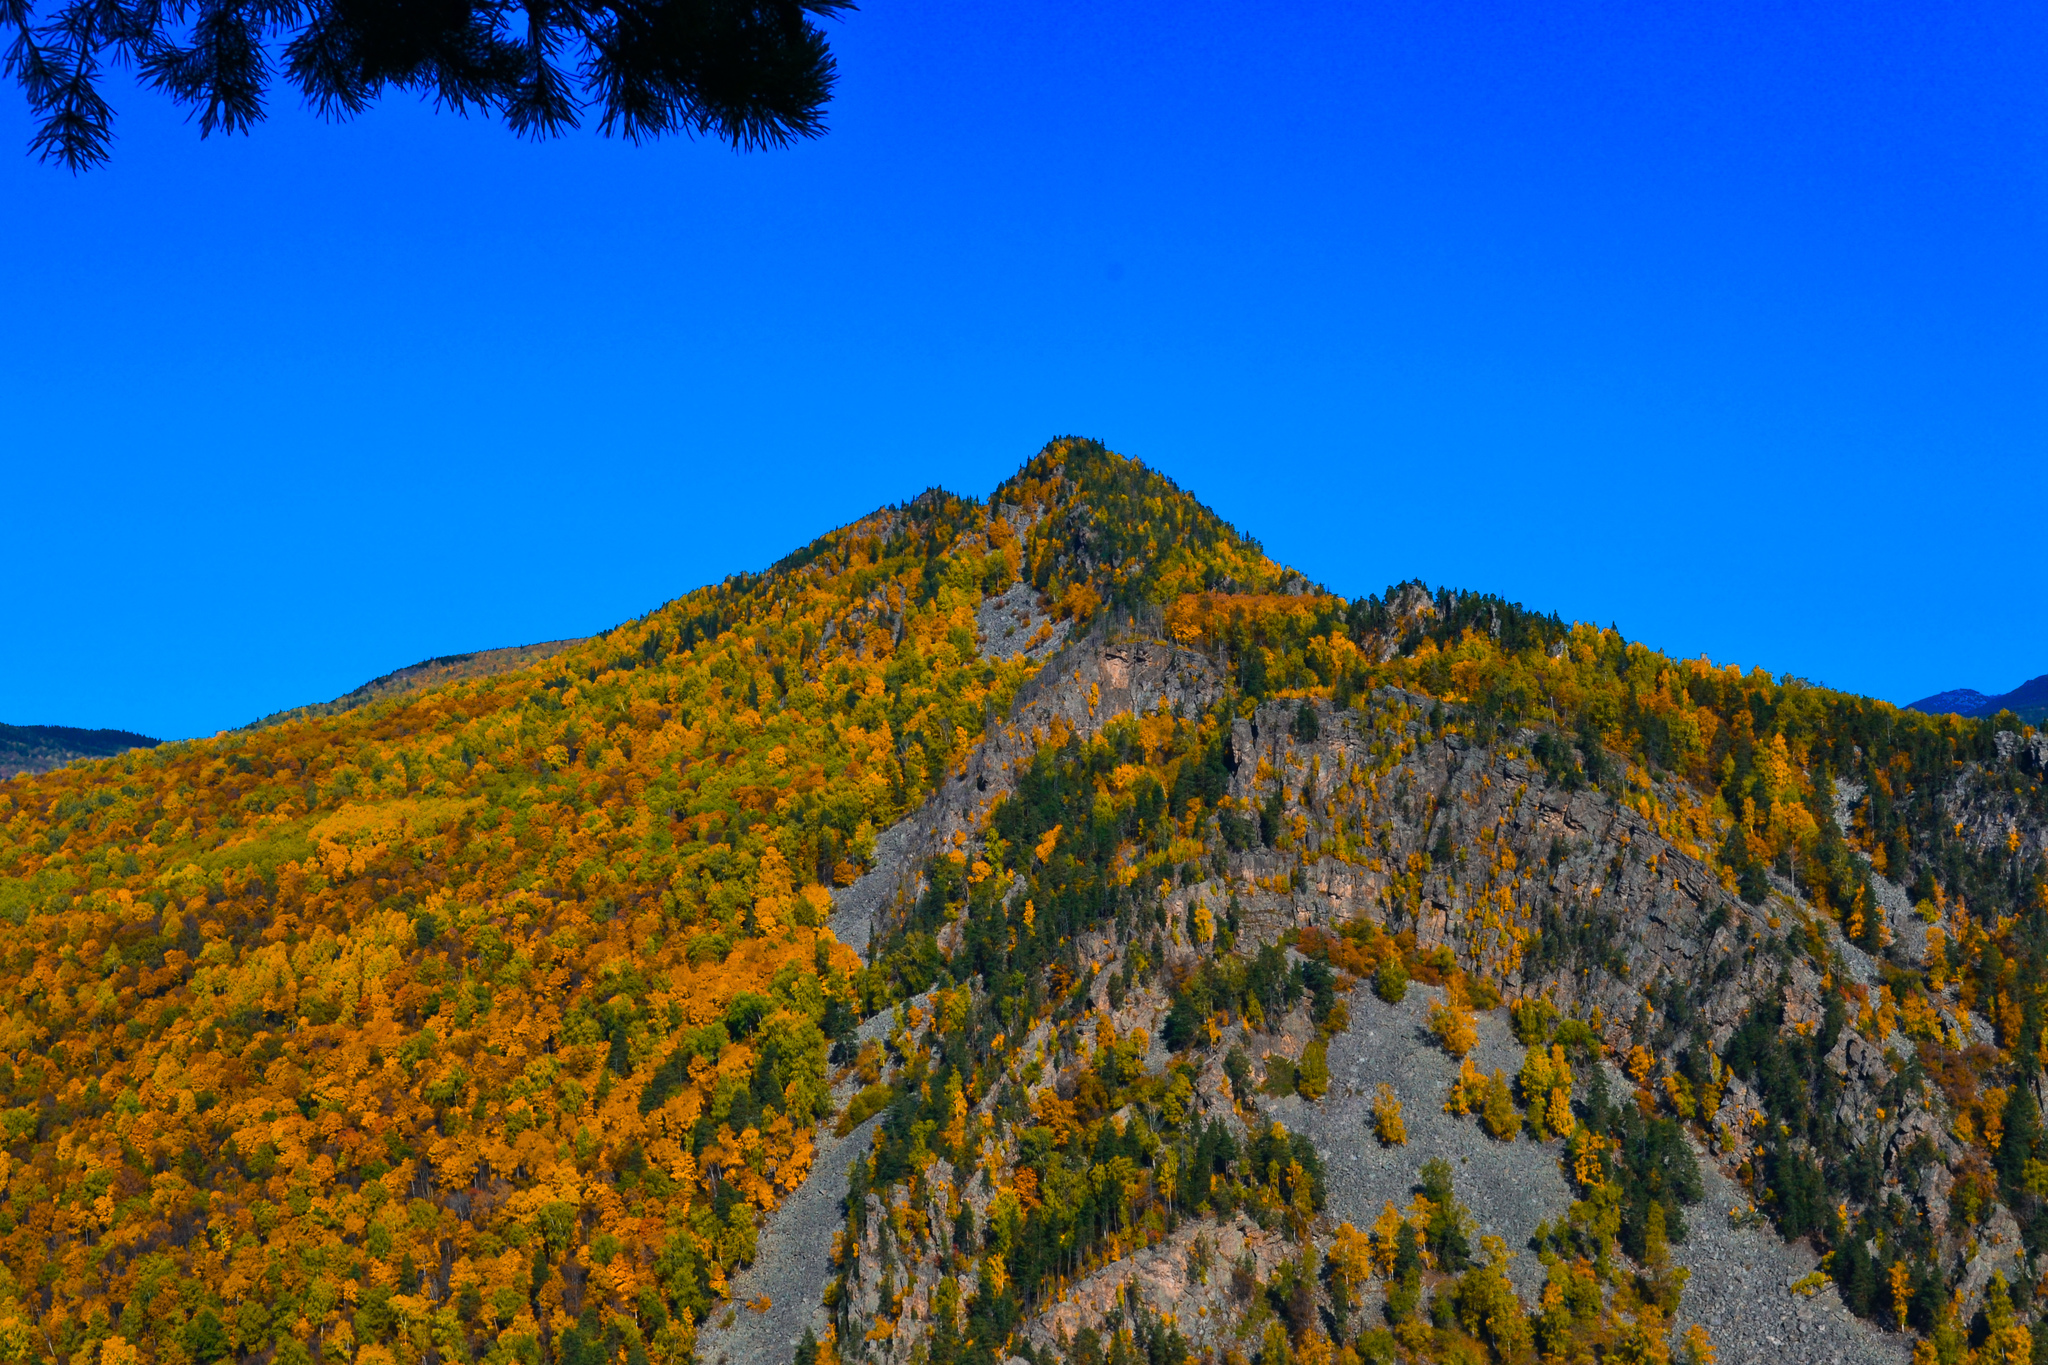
x=1646 y=893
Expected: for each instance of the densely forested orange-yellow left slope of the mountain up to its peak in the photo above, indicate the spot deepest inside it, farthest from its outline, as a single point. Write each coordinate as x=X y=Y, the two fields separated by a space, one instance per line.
x=398 y=1014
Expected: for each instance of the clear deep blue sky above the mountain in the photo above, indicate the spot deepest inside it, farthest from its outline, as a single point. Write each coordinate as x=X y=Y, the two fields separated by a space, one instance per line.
x=1723 y=322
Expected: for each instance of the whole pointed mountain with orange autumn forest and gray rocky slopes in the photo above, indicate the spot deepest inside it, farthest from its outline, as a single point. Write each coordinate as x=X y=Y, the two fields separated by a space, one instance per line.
x=1037 y=928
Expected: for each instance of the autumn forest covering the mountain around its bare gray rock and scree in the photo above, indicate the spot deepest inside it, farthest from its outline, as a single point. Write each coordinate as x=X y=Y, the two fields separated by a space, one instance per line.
x=488 y=1022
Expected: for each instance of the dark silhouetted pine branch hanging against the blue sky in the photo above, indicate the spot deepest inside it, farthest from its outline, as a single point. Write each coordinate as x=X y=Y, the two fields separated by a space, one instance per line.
x=749 y=73
